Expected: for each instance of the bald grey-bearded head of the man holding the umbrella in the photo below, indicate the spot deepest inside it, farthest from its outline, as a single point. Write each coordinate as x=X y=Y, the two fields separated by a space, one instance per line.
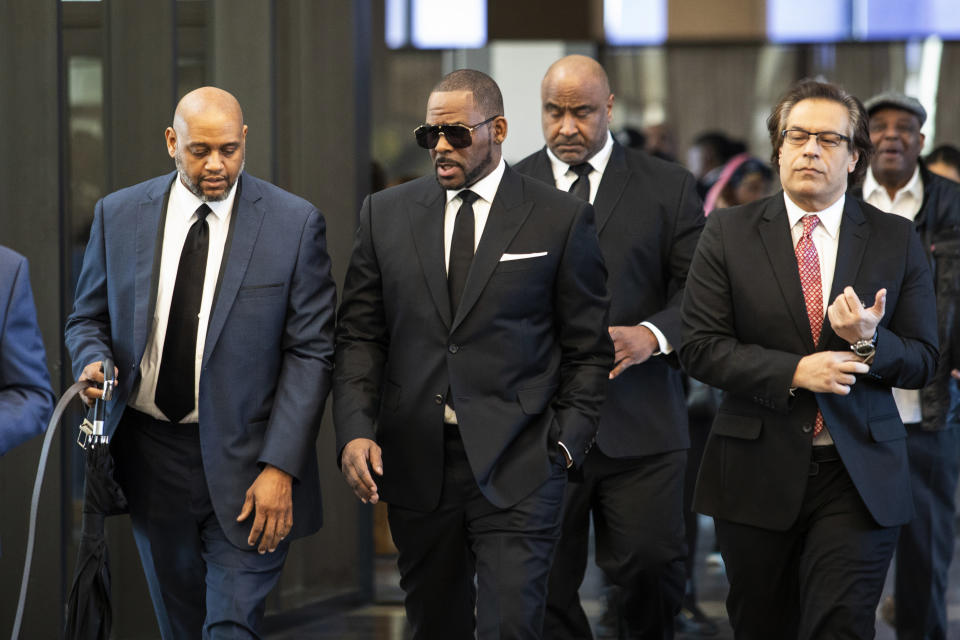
x=207 y=141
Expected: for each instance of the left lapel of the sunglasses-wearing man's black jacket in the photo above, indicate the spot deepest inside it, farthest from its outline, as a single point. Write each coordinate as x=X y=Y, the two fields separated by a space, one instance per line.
x=426 y=222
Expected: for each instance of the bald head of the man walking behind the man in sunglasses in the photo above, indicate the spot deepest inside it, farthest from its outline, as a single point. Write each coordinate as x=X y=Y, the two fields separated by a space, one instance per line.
x=577 y=106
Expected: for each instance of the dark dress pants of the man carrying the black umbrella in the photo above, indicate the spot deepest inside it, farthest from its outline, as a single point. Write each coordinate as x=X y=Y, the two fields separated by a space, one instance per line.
x=200 y=584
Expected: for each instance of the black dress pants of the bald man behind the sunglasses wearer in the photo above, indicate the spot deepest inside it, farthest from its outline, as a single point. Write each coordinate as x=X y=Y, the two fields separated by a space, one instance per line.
x=637 y=507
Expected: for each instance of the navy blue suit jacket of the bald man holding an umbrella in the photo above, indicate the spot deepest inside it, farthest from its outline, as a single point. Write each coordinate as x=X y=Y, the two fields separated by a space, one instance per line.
x=268 y=352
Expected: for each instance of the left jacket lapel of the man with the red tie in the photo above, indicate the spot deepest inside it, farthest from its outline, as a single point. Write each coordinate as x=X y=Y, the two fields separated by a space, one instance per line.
x=778 y=244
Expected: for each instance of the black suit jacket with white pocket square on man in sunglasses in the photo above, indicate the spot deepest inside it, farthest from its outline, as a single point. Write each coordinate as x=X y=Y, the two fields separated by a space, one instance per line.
x=526 y=355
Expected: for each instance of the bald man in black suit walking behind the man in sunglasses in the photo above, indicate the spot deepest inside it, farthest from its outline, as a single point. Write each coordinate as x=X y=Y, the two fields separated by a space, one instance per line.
x=648 y=219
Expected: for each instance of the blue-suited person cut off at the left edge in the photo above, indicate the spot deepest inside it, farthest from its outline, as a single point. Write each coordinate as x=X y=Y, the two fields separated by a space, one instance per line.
x=25 y=396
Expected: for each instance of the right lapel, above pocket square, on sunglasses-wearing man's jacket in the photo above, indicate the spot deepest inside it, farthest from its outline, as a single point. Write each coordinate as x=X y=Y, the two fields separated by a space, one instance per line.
x=508 y=211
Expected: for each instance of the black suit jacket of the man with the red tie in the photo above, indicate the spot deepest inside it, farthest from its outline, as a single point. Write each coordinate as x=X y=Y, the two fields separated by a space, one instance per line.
x=746 y=329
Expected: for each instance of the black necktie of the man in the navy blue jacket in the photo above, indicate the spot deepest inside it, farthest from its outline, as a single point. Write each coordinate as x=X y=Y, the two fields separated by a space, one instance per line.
x=175 y=394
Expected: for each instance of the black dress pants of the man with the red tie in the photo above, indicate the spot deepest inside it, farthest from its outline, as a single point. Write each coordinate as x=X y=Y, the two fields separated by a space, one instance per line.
x=819 y=580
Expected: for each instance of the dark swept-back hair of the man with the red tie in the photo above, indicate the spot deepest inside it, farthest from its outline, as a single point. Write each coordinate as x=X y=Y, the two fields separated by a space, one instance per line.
x=808 y=89
